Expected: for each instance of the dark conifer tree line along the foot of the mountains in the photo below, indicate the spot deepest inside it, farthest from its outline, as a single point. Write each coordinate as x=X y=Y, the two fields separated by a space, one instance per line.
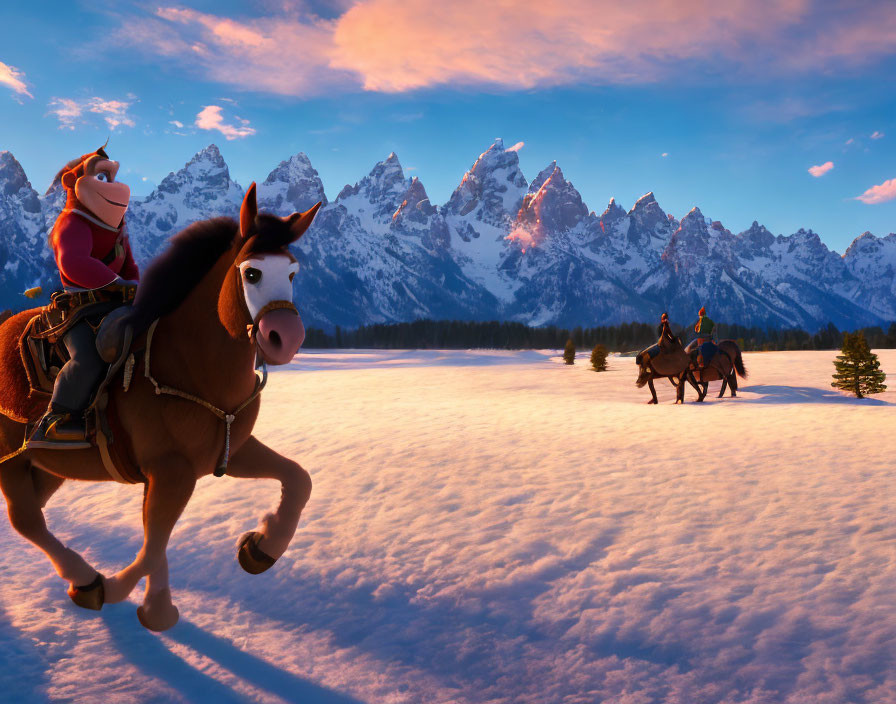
x=626 y=337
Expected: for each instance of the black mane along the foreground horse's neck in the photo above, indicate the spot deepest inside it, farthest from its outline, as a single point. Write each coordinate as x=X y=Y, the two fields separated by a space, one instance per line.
x=172 y=275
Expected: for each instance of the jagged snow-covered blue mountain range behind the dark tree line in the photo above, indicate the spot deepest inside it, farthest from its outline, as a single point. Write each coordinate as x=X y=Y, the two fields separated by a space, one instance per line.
x=499 y=248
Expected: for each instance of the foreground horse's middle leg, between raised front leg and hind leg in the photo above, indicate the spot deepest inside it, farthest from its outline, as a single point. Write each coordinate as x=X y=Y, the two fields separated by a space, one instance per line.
x=169 y=487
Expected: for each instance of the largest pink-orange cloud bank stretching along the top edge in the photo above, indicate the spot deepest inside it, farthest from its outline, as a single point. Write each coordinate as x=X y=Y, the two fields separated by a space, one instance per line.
x=401 y=45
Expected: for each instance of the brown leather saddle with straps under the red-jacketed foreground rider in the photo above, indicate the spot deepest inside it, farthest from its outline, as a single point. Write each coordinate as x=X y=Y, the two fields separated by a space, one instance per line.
x=43 y=354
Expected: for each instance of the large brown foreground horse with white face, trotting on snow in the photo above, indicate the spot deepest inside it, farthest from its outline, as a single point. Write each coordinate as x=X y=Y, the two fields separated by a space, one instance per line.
x=223 y=297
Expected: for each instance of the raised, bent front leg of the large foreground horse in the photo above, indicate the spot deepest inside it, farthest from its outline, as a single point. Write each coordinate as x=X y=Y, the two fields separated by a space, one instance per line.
x=254 y=460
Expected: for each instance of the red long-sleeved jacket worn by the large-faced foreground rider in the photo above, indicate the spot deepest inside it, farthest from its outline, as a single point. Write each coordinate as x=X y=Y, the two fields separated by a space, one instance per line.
x=89 y=253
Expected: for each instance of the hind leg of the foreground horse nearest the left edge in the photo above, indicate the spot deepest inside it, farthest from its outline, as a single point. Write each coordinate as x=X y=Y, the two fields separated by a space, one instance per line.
x=27 y=490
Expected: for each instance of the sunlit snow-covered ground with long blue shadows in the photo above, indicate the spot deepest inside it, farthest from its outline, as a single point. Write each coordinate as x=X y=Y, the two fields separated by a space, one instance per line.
x=499 y=527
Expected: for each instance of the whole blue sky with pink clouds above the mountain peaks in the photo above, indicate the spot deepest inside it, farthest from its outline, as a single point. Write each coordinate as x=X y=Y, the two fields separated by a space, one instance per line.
x=724 y=108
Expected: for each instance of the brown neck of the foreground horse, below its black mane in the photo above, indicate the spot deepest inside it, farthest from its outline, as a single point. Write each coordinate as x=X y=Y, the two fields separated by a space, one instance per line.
x=195 y=352
